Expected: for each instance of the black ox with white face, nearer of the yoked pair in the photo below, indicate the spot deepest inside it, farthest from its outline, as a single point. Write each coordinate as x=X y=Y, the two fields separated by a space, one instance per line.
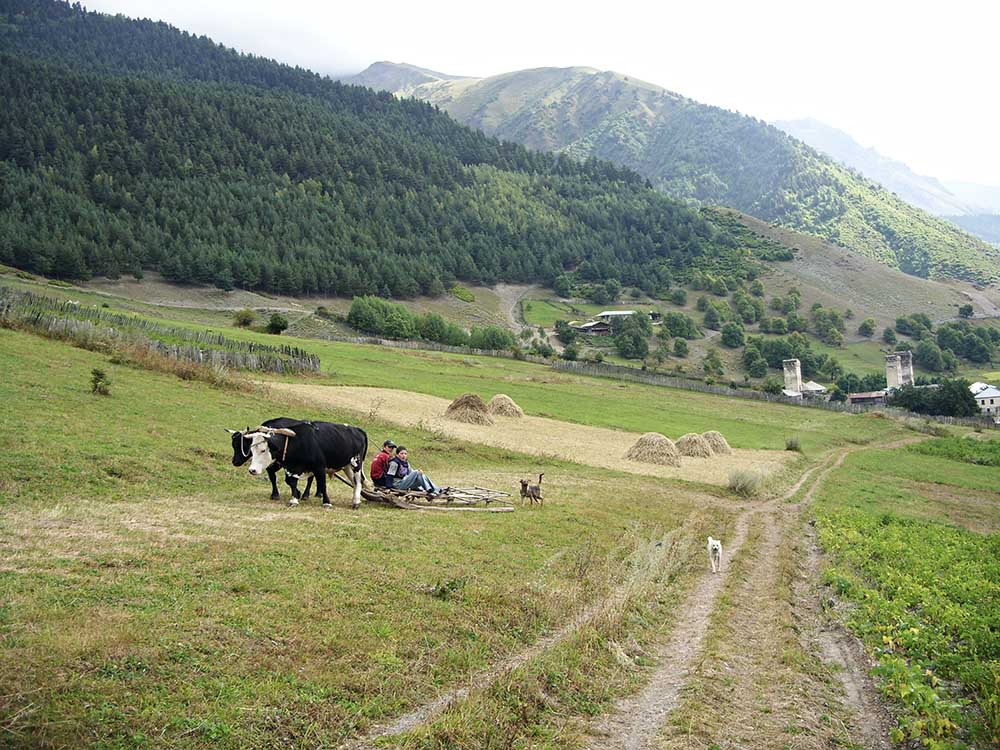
x=317 y=448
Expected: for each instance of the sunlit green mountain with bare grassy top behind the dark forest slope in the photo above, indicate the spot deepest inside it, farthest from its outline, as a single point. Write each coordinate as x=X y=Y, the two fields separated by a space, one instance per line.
x=697 y=152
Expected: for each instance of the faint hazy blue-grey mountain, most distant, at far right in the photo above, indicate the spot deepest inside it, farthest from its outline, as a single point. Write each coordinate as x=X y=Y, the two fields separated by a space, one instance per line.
x=923 y=192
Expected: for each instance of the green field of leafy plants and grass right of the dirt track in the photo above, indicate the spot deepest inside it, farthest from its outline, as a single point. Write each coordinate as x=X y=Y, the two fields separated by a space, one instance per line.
x=913 y=539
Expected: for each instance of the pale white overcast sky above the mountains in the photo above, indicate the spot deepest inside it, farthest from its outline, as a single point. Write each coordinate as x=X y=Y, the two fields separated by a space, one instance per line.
x=915 y=80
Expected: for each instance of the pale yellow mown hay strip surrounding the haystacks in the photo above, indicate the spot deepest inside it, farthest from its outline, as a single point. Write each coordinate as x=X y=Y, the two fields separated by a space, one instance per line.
x=592 y=446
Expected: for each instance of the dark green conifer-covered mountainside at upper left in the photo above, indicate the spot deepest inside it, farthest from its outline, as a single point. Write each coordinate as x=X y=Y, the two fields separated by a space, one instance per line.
x=127 y=145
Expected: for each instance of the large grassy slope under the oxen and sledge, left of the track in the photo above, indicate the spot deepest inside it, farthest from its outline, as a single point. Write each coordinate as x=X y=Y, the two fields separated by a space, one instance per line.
x=151 y=590
